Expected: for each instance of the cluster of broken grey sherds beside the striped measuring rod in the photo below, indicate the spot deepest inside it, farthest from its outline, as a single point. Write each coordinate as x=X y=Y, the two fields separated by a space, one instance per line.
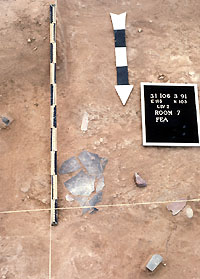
x=81 y=186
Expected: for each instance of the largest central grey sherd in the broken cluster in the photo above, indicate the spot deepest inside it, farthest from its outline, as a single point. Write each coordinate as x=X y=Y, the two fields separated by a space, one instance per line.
x=81 y=184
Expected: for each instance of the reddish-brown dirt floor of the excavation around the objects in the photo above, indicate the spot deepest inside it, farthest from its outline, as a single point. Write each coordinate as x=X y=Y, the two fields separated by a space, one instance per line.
x=115 y=242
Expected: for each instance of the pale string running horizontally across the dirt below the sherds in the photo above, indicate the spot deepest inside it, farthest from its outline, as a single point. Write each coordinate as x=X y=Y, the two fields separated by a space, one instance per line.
x=100 y=206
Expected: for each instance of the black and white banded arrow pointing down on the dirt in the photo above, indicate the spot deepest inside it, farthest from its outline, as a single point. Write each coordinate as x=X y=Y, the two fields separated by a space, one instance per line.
x=119 y=26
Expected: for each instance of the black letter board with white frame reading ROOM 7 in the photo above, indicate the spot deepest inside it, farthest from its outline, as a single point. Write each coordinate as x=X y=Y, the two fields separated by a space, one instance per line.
x=170 y=114
